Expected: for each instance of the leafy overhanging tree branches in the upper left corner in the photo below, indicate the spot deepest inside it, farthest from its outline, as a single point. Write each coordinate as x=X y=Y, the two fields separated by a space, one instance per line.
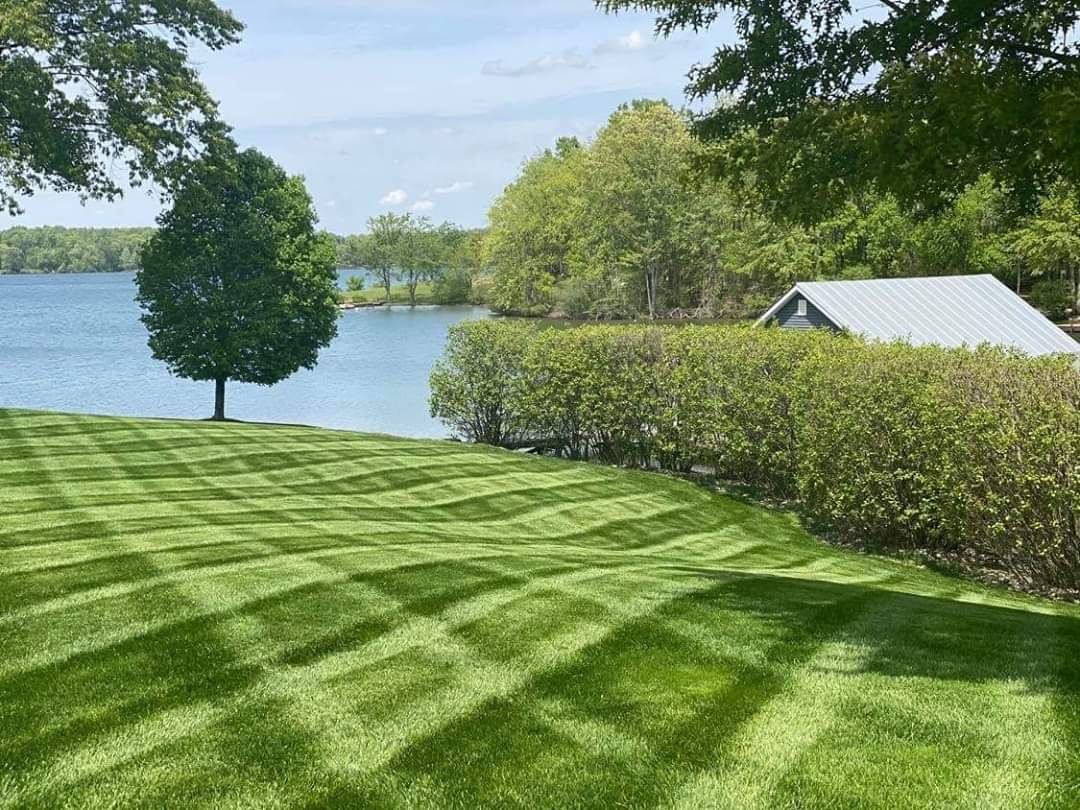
x=88 y=84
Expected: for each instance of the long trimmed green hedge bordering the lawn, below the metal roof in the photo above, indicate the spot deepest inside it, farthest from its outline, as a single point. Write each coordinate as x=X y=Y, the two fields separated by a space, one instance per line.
x=928 y=449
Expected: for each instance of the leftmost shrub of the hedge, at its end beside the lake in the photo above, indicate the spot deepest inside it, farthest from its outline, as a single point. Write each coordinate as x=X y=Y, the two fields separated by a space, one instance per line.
x=474 y=387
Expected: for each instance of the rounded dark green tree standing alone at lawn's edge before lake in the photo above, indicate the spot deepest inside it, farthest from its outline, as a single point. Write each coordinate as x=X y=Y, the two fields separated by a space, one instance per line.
x=237 y=285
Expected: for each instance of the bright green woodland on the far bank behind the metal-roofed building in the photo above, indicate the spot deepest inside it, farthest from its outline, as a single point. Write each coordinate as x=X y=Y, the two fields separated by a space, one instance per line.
x=628 y=226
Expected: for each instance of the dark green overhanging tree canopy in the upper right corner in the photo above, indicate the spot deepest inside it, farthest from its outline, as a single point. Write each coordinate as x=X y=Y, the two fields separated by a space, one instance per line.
x=819 y=99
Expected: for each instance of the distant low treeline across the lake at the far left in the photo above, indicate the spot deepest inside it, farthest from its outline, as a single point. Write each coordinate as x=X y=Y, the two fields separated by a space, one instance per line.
x=55 y=250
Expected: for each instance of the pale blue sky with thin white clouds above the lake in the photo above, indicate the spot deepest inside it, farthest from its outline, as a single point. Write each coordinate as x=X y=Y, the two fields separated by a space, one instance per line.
x=415 y=105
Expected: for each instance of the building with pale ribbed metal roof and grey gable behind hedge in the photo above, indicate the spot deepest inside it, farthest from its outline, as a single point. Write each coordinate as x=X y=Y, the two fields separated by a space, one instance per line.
x=952 y=312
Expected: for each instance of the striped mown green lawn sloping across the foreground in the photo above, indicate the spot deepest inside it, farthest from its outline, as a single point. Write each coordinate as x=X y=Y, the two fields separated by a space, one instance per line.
x=236 y=616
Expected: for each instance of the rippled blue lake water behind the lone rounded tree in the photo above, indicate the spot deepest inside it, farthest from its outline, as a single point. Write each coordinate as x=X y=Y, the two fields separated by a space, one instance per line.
x=75 y=343
